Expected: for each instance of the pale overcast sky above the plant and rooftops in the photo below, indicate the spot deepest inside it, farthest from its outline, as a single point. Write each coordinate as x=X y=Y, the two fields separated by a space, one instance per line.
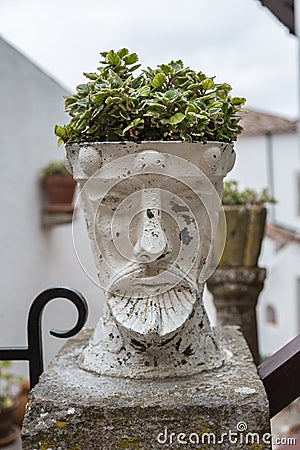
x=238 y=41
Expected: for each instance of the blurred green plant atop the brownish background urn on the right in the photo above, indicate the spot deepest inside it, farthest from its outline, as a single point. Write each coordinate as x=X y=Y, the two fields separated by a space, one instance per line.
x=232 y=195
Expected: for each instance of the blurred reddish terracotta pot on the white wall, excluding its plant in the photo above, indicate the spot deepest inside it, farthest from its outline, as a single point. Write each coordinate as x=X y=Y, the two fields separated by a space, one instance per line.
x=59 y=192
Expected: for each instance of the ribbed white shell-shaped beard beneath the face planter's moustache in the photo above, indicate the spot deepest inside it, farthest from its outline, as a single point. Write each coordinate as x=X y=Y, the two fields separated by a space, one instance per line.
x=159 y=315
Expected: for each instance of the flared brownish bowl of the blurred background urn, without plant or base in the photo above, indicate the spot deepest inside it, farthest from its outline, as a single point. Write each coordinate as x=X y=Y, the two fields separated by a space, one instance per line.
x=245 y=231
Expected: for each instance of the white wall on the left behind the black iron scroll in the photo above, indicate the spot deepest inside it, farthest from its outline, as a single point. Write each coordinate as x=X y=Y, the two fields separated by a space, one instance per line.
x=33 y=257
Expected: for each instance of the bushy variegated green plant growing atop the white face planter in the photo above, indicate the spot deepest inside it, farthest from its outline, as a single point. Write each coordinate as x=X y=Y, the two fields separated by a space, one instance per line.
x=172 y=102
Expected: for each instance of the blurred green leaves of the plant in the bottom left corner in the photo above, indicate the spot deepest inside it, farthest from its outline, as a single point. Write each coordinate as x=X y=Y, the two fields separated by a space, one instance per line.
x=9 y=385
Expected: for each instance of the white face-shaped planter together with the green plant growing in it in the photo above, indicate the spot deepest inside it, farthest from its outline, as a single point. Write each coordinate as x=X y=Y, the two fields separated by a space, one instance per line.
x=151 y=204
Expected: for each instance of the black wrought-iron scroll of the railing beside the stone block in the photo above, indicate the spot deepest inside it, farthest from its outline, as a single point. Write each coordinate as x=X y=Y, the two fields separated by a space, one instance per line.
x=34 y=352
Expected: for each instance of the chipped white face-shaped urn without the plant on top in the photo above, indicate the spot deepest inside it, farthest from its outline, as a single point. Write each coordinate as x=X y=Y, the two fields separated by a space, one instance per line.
x=151 y=210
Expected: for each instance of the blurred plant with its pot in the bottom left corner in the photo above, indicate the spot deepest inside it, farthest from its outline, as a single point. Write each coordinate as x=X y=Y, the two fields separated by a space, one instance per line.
x=10 y=387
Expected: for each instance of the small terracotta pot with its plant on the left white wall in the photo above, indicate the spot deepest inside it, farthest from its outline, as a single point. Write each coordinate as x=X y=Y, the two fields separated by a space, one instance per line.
x=58 y=187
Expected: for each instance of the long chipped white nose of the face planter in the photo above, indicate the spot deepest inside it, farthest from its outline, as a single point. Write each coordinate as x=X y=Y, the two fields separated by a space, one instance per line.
x=152 y=241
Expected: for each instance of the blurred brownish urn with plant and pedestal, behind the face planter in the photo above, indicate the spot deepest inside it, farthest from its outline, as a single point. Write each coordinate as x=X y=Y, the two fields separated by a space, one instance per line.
x=238 y=280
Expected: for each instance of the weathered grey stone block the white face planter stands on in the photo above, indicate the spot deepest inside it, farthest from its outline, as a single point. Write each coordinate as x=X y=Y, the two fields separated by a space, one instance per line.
x=71 y=409
